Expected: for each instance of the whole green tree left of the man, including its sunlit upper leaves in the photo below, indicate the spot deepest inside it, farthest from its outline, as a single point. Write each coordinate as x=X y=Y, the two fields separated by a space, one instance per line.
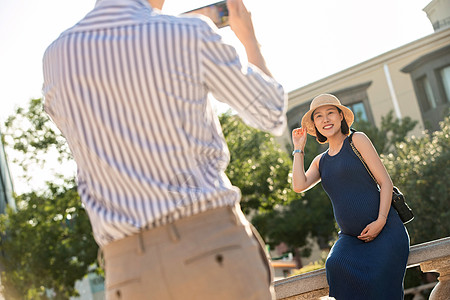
x=47 y=243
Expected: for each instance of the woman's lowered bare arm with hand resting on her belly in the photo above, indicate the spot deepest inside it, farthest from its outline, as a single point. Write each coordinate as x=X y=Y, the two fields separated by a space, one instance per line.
x=373 y=161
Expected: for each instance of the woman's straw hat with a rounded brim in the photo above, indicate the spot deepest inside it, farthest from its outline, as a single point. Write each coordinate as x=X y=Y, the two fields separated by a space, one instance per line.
x=322 y=100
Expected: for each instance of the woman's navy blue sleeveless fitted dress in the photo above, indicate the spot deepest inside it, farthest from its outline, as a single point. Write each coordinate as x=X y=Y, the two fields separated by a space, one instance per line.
x=356 y=269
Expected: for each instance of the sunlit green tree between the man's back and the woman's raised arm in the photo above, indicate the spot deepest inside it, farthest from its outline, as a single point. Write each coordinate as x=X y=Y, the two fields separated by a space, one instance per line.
x=258 y=165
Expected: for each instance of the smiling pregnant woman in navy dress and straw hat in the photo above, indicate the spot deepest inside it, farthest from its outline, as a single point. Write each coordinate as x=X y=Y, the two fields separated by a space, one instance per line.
x=368 y=261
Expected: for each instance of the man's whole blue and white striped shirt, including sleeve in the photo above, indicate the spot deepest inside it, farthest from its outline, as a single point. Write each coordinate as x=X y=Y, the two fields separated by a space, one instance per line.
x=127 y=86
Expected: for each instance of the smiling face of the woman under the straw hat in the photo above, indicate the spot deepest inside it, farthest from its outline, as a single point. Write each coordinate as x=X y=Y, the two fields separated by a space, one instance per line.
x=327 y=120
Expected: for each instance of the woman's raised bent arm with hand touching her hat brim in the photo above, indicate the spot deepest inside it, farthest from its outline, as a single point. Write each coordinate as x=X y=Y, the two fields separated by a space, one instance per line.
x=301 y=180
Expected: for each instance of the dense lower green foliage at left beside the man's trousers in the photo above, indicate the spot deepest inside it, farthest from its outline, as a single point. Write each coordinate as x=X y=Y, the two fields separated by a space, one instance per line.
x=47 y=244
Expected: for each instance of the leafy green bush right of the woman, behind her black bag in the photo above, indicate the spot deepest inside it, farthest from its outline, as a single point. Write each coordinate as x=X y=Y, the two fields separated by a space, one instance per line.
x=420 y=168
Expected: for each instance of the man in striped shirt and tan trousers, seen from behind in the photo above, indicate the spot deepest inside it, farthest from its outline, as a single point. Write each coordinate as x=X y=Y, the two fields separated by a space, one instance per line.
x=127 y=86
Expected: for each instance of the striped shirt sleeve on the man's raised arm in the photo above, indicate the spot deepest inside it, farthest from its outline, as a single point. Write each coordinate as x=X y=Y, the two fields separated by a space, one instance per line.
x=257 y=98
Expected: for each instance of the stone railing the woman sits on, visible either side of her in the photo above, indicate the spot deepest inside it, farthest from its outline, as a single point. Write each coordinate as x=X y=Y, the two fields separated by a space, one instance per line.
x=433 y=256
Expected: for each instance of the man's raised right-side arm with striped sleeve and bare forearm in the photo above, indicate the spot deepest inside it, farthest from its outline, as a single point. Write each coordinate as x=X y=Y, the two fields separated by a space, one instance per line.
x=252 y=92
